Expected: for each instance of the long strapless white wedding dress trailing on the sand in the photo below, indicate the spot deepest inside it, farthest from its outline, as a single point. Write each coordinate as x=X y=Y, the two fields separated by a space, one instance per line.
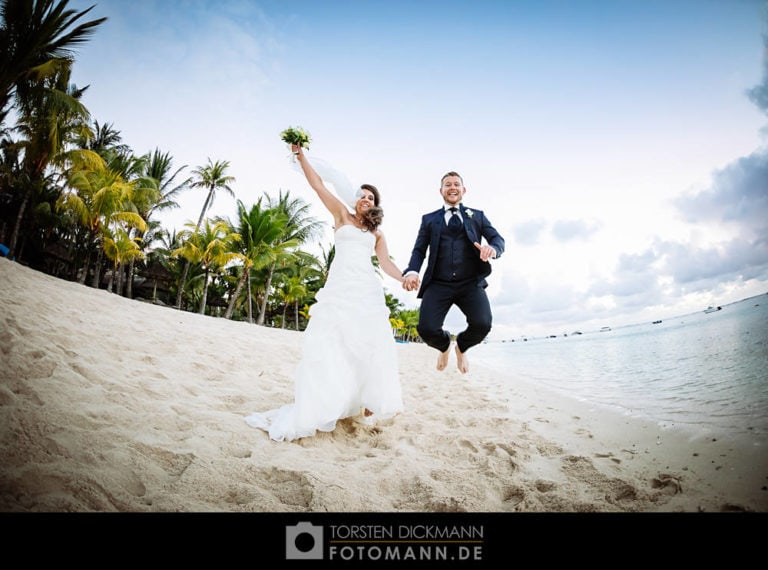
x=349 y=360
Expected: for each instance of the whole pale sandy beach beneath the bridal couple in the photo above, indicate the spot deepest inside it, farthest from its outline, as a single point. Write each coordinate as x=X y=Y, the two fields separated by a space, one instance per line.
x=116 y=405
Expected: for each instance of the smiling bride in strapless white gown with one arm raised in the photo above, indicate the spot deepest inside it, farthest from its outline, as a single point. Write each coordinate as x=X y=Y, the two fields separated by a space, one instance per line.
x=349 y=364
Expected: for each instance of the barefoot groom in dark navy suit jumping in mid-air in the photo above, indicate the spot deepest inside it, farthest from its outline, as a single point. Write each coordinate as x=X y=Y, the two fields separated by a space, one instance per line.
x=456 y=271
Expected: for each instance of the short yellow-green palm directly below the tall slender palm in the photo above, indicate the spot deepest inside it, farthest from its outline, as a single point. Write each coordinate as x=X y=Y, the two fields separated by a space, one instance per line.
x=212 y=246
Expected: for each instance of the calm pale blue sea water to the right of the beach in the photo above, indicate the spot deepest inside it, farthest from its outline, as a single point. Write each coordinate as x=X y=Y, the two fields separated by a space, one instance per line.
x=704 y=372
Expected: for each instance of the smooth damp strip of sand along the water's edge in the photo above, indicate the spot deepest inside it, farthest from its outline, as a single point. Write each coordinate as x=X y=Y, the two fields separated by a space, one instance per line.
x=688 y=463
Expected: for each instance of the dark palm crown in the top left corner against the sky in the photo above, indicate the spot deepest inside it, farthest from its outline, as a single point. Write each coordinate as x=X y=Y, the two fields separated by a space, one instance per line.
x=33 y=34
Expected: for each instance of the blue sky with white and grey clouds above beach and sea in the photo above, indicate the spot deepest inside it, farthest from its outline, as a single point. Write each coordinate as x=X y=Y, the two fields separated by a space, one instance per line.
x=618 y=146
